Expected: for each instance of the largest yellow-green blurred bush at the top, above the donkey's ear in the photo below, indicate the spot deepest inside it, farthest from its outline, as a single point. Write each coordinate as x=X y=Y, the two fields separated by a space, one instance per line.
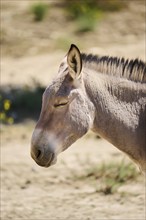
x=87 y=13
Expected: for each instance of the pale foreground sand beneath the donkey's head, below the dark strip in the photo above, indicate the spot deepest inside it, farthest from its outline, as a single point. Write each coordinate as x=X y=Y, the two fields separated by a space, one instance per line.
x=31 y=192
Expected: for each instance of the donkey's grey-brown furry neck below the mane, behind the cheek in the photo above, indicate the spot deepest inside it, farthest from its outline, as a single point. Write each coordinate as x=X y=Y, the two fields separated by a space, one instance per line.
x=117 y=108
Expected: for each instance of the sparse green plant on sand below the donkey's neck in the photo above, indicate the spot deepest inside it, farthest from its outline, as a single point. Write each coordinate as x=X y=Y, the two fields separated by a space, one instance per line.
x=110 y=176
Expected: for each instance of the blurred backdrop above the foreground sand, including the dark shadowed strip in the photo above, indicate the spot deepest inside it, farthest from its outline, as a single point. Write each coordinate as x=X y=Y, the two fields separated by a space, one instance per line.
x=36 y=35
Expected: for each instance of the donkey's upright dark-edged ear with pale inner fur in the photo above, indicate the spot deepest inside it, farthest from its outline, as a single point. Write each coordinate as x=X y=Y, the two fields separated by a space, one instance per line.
x=74 y=62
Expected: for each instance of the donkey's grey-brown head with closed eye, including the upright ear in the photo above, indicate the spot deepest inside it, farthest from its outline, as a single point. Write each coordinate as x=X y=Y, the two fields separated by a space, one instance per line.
x=66 y=112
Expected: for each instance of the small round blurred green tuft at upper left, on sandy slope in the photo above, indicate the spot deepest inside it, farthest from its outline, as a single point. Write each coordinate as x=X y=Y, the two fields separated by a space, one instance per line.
x=39 y=11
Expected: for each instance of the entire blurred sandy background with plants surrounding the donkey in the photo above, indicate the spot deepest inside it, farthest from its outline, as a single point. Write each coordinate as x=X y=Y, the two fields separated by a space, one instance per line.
x=34 y=38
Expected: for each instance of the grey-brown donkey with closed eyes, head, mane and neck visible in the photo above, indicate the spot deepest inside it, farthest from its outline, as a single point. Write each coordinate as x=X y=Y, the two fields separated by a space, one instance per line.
x=105 y=94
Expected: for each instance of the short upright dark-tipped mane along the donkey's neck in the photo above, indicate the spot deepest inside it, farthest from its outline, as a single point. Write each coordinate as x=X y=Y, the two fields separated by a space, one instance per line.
x=134 y=70
